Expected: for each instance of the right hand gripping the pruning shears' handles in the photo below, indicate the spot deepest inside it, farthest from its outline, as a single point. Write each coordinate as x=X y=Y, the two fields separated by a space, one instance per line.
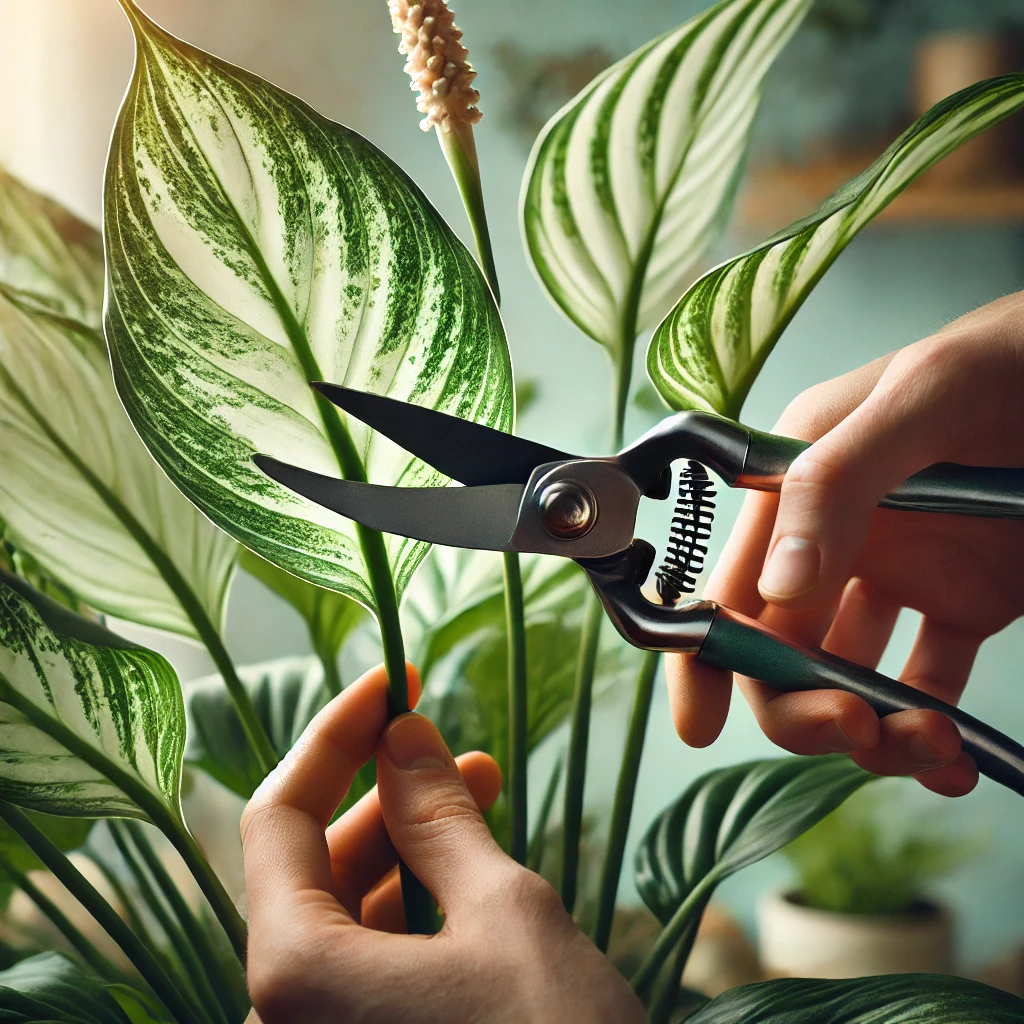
x=839 y=569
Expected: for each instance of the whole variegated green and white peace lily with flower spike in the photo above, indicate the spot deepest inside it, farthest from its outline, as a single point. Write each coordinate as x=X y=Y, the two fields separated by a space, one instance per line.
x=250 y=247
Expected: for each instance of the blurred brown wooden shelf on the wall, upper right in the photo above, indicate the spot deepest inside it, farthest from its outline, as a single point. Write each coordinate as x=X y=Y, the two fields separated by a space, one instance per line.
x=778 y=196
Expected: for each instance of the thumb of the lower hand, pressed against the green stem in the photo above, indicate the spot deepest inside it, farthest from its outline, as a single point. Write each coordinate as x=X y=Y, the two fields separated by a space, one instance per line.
x=432 y=817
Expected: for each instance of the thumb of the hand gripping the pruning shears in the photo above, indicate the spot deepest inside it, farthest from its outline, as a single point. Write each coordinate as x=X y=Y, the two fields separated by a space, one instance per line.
x=830 y=496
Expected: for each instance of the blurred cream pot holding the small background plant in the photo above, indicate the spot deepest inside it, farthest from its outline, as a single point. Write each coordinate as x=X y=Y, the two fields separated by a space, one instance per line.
x=797 y=942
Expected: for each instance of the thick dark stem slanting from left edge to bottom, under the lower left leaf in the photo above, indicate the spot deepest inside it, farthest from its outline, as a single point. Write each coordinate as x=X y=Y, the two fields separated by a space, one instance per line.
x=90 y=898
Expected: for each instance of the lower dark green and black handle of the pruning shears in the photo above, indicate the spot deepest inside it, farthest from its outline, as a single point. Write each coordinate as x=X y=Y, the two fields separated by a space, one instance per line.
x=743 y=646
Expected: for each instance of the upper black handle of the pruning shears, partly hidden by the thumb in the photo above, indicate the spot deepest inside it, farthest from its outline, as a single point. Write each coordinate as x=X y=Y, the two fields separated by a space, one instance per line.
x=976 y=491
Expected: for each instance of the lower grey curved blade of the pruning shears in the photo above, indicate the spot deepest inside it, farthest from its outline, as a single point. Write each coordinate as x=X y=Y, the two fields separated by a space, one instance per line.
x=459 y=518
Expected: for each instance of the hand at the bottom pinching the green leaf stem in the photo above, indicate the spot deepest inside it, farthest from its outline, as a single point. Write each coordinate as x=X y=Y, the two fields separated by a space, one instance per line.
x=325 y=902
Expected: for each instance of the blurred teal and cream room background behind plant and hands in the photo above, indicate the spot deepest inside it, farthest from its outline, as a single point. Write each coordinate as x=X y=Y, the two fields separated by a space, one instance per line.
x=851 y=80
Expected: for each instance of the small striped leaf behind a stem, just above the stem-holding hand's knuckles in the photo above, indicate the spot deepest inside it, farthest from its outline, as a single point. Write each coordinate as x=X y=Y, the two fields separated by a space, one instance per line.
x=287 y=695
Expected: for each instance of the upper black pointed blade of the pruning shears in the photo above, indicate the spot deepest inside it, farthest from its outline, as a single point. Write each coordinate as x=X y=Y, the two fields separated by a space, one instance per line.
x=467 y=452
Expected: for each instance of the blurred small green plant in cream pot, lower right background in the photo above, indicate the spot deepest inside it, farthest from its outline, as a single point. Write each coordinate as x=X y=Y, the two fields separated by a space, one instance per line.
x=860 y=904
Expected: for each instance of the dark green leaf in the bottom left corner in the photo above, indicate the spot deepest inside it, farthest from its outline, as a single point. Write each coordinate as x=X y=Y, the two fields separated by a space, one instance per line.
x=51 y=990
